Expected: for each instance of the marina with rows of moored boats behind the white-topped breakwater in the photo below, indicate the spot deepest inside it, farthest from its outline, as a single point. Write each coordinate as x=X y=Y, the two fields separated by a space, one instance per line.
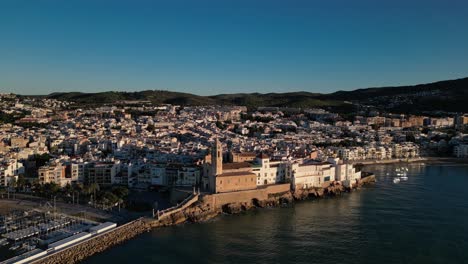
x=27 y=235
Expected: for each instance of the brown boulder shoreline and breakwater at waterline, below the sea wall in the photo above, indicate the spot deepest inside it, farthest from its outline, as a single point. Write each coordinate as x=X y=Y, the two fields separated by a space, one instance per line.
x=198 y=212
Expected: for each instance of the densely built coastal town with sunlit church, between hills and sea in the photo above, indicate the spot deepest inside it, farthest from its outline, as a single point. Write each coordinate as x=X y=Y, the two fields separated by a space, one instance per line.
x=69 y=172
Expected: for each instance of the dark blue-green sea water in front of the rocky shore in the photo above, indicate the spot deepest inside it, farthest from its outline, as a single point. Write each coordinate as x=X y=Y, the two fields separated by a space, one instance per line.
x=422 y=220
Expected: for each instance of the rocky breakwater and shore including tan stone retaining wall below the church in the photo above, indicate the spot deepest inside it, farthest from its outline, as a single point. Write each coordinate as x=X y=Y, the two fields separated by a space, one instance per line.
x=204 y=208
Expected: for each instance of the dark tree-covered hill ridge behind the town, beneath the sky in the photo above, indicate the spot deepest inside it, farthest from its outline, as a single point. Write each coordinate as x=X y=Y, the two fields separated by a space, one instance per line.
x=451 y=95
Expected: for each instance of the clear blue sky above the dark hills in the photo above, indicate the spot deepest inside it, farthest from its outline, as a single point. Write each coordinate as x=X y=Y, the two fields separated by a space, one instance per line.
x=210 y=47
